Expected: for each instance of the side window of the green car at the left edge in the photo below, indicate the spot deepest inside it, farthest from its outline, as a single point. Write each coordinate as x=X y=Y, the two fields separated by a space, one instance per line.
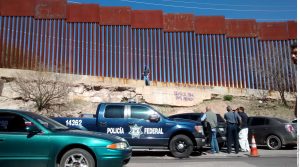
x=12 y=123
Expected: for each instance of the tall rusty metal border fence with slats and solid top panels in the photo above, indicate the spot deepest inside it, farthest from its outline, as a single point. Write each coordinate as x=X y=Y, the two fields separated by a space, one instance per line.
x=118 y=42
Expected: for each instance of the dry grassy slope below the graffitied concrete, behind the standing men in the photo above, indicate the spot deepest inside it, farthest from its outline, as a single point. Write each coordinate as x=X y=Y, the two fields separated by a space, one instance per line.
x=253 y=107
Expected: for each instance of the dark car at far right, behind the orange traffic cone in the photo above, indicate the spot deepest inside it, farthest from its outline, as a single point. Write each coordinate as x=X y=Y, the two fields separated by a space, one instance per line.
x=272 y=132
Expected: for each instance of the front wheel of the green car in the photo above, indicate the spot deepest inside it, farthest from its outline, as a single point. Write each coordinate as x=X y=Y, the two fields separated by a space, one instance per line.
x=77 y=157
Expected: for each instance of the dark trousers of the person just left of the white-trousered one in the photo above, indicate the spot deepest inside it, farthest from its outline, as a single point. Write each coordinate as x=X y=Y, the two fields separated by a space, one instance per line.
x=232 y=137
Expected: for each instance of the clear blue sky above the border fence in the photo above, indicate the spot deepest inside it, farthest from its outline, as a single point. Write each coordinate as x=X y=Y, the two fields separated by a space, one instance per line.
x=261 y=10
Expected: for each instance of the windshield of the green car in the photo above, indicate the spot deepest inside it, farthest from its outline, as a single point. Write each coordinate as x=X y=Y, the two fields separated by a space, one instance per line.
x=47 y=122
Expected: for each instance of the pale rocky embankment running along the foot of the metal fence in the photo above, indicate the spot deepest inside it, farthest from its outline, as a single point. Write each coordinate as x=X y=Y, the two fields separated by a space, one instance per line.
x=87 y=92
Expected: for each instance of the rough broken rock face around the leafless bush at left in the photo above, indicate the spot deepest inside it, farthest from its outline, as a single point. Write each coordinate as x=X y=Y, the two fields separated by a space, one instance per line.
x=82 y=98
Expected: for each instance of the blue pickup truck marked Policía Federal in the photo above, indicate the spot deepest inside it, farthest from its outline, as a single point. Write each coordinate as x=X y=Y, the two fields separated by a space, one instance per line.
x=143 y=127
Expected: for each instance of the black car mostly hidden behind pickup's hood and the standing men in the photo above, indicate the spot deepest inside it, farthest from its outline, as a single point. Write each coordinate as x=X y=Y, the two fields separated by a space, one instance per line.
x=221 y=128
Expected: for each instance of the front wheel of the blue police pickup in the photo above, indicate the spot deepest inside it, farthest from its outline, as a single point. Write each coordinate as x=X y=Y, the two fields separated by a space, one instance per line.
x=181 y=146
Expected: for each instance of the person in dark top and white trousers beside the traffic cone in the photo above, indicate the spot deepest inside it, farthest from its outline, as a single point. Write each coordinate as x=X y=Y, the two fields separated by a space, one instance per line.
x=243 y=134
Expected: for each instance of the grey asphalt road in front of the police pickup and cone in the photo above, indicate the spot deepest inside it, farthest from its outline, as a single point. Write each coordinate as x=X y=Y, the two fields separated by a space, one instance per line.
x=267 y=158
